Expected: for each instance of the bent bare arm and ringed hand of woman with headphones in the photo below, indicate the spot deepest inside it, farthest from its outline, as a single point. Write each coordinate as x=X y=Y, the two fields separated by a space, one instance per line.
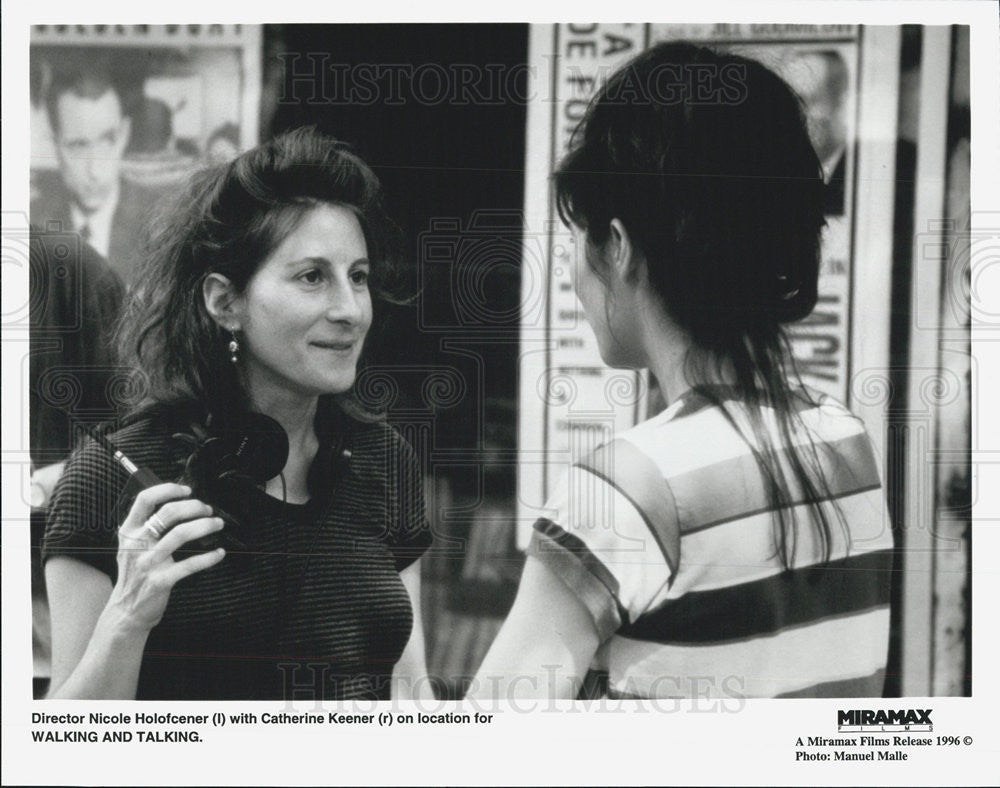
x=99 y=631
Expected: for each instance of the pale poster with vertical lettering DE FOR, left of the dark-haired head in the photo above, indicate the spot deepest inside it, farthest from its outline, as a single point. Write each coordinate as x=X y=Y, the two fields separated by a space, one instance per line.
x=570 y=401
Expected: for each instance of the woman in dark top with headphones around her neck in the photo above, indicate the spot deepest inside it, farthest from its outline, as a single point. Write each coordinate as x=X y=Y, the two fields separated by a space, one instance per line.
x=255 y=301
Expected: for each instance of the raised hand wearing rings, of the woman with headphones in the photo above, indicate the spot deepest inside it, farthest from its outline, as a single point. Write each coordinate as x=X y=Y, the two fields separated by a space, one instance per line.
x=146 y=569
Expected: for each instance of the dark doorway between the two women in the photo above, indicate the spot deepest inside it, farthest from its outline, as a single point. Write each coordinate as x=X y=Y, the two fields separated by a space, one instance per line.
x=439 y=111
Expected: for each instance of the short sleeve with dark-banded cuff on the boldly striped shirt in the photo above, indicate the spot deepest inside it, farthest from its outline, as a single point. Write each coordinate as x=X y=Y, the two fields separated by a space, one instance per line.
x=611 y=535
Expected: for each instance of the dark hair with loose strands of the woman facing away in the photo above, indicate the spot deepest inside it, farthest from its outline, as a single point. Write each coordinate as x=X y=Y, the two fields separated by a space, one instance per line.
x=722 y=192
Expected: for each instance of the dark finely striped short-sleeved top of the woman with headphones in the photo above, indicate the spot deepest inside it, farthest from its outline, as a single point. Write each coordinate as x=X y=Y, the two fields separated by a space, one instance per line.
x=314 y=608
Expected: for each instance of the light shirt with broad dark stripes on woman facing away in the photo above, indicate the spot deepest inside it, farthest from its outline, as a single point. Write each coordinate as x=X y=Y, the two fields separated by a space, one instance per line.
x=667 y=536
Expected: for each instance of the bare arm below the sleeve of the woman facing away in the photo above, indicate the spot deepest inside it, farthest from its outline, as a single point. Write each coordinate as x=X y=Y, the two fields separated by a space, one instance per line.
x=544 y=647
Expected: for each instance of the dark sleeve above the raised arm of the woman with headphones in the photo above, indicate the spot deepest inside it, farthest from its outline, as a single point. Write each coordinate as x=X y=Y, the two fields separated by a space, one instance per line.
x=83 y=517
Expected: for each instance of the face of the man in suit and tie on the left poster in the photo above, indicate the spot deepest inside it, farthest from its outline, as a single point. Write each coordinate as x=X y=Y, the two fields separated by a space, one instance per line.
x=91 y=137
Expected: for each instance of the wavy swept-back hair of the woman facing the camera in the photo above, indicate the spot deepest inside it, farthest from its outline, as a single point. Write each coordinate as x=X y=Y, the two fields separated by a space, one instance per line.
x=228 y=220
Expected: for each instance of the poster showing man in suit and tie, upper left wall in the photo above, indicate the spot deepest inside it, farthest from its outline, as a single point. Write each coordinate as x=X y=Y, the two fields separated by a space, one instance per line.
x=121 y=113
